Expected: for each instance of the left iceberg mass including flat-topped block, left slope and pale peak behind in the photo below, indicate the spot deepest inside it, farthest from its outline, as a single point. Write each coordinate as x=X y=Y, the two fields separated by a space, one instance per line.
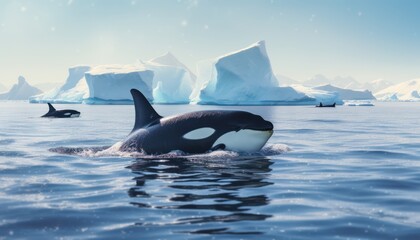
x=162 y=80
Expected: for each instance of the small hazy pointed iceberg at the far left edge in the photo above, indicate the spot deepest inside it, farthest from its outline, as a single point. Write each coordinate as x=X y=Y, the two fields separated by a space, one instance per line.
x=20 y=91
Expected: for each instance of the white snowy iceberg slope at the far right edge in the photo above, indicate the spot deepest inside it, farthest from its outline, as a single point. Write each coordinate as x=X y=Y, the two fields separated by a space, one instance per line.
x=408 y=91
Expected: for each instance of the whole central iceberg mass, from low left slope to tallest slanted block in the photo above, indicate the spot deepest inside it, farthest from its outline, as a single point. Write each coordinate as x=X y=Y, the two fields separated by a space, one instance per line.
x=244 y=77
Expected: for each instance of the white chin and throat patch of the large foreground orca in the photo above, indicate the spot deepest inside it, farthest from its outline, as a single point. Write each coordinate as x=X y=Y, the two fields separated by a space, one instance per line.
x=244 y=140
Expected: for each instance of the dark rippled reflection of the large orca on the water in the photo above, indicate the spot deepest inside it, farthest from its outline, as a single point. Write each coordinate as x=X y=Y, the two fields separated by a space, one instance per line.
x=213 y=190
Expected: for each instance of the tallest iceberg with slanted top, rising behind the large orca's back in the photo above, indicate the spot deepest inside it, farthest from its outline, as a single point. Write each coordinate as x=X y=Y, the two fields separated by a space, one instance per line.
x=243 y=77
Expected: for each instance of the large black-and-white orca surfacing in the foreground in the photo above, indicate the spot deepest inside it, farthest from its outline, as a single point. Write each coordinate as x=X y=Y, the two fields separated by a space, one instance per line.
x=195 y=132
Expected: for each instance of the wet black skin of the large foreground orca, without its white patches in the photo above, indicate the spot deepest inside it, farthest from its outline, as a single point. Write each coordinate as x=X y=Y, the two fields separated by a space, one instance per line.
x=162 y=135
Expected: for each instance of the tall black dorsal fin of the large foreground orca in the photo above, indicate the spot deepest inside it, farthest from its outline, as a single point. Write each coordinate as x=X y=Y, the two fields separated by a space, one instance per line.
x=145 y=113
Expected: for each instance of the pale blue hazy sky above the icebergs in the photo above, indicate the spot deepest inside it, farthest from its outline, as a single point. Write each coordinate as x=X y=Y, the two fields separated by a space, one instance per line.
x=366 y=39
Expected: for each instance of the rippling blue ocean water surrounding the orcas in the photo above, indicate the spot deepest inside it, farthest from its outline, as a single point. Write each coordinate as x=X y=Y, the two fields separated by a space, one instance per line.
x=329 y=173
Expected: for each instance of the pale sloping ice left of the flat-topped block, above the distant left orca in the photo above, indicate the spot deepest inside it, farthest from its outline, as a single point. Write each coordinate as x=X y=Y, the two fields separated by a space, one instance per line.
x=72 y=91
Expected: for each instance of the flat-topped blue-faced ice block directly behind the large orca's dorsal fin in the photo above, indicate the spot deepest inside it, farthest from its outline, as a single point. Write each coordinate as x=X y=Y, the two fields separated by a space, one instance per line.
x=112 y=83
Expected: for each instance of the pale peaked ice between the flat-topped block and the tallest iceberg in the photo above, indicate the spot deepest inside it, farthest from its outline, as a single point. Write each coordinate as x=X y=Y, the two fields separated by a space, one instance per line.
x=173 y=82
